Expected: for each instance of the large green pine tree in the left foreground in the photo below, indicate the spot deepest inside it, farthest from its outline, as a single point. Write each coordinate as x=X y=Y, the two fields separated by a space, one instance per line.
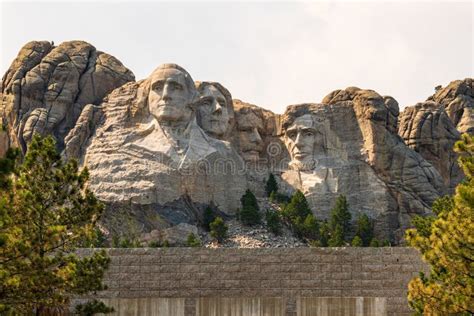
x=45 y=213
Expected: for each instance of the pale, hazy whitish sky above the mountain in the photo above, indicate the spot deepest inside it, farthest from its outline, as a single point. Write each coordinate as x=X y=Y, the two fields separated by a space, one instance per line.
x=268 y=53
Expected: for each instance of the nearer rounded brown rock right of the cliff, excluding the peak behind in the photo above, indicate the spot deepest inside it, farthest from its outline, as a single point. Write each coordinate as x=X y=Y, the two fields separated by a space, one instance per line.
x=427 y=129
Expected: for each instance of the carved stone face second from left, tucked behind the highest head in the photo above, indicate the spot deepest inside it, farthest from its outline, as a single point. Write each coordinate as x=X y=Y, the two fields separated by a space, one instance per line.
x=213 y=111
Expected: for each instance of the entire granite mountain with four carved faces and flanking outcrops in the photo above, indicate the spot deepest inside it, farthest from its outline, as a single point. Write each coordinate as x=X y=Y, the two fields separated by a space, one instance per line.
x=160 y=150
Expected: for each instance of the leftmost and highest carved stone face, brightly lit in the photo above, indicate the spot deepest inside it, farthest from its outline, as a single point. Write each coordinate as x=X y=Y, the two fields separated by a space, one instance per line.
x=169 y=96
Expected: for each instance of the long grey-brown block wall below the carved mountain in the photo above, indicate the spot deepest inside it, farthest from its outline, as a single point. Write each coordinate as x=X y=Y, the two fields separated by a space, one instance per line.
x=279 y=281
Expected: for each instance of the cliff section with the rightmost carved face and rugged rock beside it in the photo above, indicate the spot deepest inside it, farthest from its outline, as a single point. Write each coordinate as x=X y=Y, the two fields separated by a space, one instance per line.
x=353 y=150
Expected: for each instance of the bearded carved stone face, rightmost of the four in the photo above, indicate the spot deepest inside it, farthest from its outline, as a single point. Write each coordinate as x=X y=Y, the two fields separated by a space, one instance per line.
x=300 y=138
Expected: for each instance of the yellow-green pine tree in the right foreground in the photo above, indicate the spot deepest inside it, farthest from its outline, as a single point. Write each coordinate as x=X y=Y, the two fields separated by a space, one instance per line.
x=447 y=245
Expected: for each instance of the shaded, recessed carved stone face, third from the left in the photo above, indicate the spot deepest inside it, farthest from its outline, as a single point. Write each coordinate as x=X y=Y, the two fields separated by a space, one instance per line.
x=249 y=127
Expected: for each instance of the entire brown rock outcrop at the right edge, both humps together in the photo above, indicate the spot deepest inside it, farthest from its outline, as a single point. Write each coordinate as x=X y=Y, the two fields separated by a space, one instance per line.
x=432 y=127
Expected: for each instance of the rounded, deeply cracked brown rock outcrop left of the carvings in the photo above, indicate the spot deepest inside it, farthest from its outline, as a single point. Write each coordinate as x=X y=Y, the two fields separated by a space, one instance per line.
x=46 y=88
